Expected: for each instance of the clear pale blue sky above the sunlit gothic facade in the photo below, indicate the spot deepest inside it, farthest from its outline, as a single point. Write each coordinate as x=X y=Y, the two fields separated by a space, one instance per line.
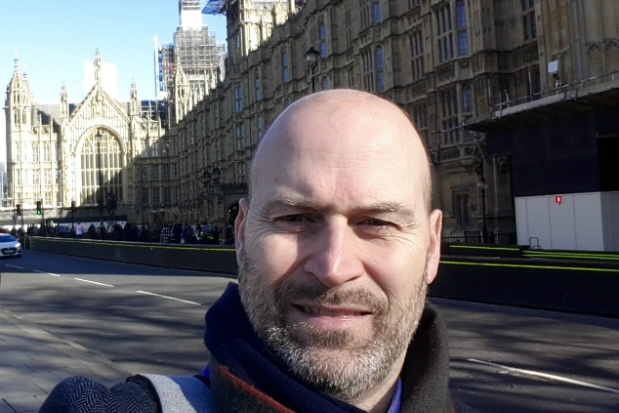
x=54 y=38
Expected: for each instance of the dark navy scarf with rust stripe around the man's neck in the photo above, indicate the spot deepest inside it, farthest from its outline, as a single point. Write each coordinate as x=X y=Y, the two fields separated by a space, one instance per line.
x=246 y=376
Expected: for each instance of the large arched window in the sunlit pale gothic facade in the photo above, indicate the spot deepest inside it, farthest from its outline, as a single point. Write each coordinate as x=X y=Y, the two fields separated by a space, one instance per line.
x=101 y=166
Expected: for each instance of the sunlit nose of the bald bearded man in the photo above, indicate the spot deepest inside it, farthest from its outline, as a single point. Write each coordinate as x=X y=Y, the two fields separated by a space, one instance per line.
x=334 y=257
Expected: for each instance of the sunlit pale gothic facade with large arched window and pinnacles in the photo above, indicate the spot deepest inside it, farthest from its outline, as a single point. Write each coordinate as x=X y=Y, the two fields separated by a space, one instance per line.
x=85 y=153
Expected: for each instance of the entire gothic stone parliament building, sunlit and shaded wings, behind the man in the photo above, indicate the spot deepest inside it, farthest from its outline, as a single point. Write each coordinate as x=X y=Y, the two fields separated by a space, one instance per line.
x=480 y=79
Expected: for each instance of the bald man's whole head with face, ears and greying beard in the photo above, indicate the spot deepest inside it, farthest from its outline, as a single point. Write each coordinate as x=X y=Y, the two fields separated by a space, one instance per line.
x=337 y=243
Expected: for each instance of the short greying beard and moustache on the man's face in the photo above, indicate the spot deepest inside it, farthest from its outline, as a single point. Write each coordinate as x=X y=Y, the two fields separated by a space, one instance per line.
x=351 y=368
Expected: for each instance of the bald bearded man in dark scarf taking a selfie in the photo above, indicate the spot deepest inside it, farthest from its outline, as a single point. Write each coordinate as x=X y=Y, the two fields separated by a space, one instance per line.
x=336 y=245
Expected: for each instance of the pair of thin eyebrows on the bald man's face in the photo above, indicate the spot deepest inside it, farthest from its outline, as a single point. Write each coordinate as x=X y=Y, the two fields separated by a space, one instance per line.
x=288 y=203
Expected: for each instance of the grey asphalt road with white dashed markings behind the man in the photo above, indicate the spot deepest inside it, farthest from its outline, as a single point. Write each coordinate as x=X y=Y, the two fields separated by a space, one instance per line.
x=150 y=320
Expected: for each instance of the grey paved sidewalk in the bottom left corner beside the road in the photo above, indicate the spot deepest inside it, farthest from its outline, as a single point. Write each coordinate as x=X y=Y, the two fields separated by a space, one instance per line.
x=33 y=361
